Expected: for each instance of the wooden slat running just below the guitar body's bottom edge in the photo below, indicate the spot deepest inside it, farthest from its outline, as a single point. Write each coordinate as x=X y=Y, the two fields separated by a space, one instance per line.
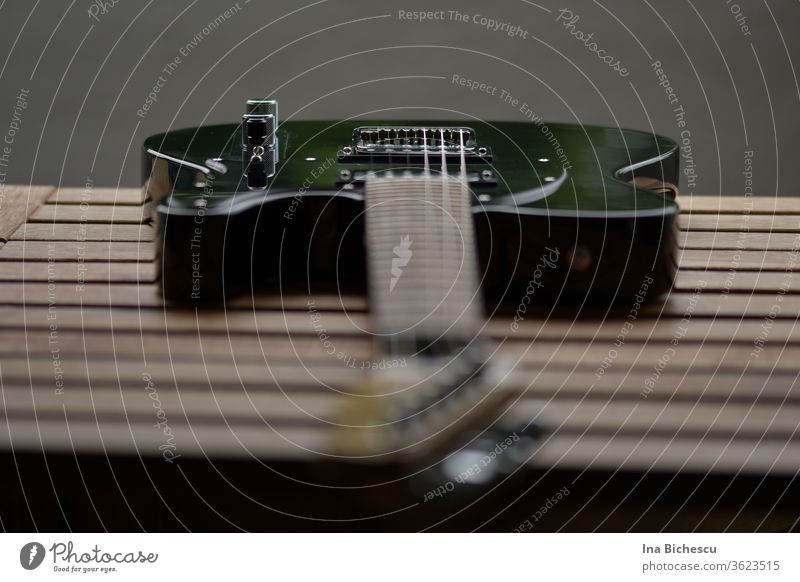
x=741 y=323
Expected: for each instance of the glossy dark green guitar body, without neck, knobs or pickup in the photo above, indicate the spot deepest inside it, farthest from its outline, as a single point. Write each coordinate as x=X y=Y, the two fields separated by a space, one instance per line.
x=556 y=217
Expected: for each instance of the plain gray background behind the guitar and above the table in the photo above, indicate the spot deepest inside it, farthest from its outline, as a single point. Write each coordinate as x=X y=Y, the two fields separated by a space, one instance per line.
x=87 y=77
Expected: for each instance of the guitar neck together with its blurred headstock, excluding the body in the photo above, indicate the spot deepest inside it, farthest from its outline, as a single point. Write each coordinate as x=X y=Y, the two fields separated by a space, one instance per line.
x=427 y=309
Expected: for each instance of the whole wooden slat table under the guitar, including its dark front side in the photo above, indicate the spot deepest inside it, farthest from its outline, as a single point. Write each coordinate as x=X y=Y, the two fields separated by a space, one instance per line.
x=698 y=394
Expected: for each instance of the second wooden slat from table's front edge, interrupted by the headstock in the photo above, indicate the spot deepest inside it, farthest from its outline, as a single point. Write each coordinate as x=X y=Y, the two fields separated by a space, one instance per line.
x=770 y=421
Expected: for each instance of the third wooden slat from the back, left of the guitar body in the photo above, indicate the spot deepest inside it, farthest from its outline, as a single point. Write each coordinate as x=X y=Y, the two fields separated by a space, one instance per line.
x=84 y=232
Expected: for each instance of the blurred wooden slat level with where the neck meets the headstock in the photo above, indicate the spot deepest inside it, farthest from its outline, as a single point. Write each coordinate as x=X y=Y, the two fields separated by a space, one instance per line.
x=290 y=347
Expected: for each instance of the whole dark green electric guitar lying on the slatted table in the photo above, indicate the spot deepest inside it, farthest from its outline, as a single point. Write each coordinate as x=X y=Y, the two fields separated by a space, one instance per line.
x=439 y=223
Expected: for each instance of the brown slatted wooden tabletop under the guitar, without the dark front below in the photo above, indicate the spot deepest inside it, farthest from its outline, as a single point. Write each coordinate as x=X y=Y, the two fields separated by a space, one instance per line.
x=706 y=379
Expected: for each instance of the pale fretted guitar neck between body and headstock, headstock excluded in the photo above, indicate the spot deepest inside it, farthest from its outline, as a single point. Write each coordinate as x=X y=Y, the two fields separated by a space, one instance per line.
x=423 y=275
